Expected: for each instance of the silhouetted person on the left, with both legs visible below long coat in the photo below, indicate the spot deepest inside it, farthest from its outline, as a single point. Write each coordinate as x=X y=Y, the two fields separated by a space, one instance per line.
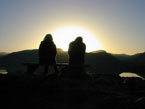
x=47 y=53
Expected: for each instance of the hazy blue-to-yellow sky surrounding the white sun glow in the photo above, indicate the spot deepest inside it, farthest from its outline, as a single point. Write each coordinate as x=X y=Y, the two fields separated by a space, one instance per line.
x=118 y=24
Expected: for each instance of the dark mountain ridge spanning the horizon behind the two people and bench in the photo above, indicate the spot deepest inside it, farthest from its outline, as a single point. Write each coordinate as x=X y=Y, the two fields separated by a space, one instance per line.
x=100 y=61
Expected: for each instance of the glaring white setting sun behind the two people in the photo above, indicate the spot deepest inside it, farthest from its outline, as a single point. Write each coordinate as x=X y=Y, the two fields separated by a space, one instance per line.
x=63 y=36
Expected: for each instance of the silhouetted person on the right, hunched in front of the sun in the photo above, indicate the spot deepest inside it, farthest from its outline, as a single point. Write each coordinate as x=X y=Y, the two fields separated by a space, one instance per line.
x=76 y=51
